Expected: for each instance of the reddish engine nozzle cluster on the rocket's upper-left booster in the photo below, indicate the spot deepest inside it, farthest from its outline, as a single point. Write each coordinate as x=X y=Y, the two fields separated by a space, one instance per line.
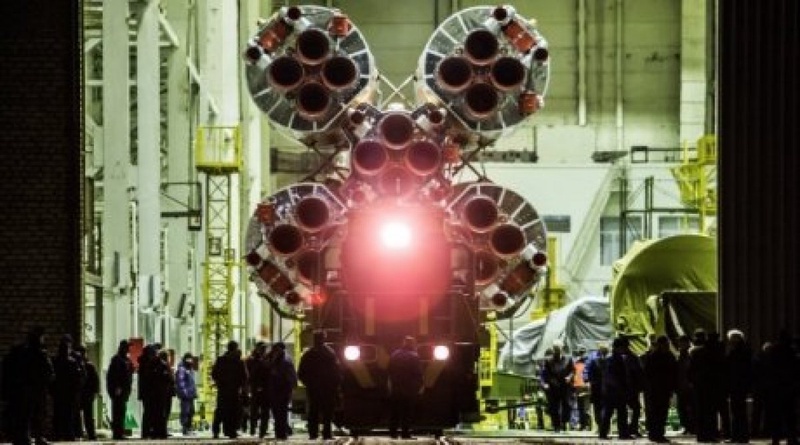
x=311 y=72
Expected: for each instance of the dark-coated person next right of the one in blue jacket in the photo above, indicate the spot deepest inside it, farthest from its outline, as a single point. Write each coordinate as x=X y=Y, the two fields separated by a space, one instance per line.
x=230 y=376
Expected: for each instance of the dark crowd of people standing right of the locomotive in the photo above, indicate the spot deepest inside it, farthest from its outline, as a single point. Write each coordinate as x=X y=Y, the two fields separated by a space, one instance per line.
x=707 y=379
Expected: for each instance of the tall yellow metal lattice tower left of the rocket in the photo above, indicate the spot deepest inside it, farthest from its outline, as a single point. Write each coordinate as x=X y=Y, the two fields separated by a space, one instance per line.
x=218 y=155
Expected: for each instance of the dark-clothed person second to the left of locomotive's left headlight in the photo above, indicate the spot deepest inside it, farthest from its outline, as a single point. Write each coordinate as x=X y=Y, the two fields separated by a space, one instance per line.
x=282 y=381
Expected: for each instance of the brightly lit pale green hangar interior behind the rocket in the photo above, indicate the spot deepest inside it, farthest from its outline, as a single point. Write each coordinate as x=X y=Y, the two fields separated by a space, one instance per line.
x=623 y=151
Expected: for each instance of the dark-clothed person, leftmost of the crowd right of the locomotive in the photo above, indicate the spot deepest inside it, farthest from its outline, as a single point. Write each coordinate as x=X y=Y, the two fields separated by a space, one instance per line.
x=558 y=373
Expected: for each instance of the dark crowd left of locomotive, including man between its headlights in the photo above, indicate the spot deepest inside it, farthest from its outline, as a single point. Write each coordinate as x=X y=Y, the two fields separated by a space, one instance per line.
x=250 y=390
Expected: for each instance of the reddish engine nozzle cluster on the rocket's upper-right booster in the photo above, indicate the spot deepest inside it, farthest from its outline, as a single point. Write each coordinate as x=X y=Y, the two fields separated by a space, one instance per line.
x=479 y=71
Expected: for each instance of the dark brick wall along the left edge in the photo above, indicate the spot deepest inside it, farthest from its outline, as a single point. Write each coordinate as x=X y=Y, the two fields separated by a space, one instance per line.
x=40 y=174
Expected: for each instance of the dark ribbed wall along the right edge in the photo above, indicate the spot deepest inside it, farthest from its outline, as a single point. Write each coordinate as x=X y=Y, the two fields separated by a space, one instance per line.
x=759 y=164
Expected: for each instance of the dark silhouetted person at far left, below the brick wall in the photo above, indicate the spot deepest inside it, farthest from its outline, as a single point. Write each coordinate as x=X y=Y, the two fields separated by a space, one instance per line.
x=27 y=375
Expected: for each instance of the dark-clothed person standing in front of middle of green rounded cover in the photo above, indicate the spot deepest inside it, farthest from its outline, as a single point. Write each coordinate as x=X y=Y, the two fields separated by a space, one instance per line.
x=660 y=370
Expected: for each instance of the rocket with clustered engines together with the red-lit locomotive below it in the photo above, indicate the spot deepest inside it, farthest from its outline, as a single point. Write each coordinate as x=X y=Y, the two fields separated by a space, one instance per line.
x=382 y=241
